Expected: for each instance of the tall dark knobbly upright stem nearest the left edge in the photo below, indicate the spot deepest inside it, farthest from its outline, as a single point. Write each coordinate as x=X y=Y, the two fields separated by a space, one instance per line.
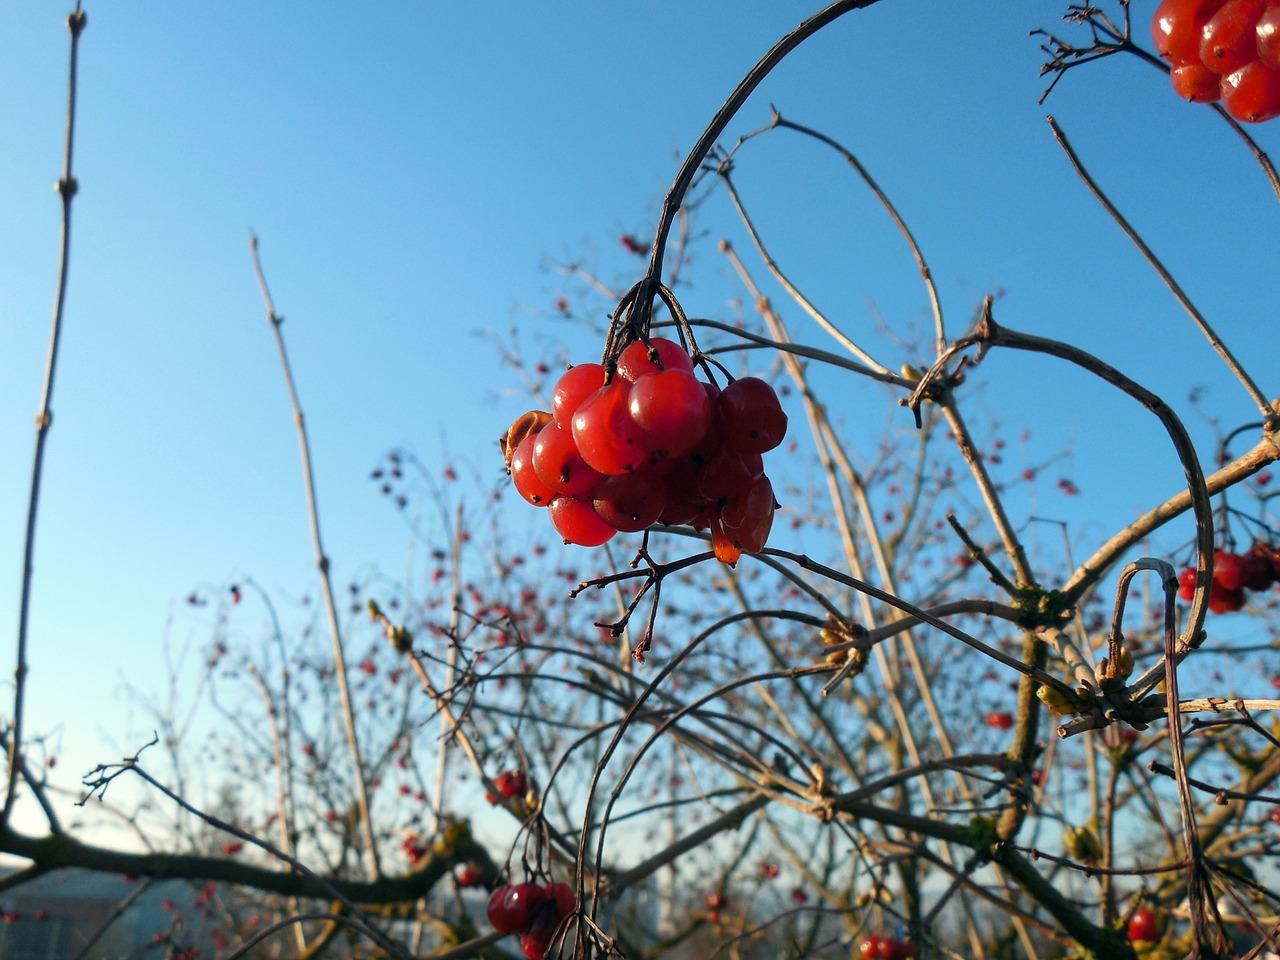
x=67 y=189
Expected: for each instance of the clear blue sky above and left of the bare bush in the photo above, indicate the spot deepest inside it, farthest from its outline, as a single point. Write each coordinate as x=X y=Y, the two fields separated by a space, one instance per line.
x=410 y=167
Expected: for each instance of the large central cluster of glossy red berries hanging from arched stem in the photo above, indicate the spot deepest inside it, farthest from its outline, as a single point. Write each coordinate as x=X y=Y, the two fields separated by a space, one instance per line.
x=653 y=445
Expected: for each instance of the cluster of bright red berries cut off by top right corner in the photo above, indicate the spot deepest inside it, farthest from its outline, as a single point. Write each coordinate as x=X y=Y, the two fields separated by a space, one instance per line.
x=1226 y=51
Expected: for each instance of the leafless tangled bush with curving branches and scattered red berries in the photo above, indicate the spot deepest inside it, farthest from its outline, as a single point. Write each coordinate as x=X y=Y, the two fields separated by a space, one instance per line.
x=888 y=715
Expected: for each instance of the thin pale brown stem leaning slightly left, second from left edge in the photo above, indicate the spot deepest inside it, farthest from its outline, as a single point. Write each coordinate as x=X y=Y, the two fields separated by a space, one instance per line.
x=340 y=660
